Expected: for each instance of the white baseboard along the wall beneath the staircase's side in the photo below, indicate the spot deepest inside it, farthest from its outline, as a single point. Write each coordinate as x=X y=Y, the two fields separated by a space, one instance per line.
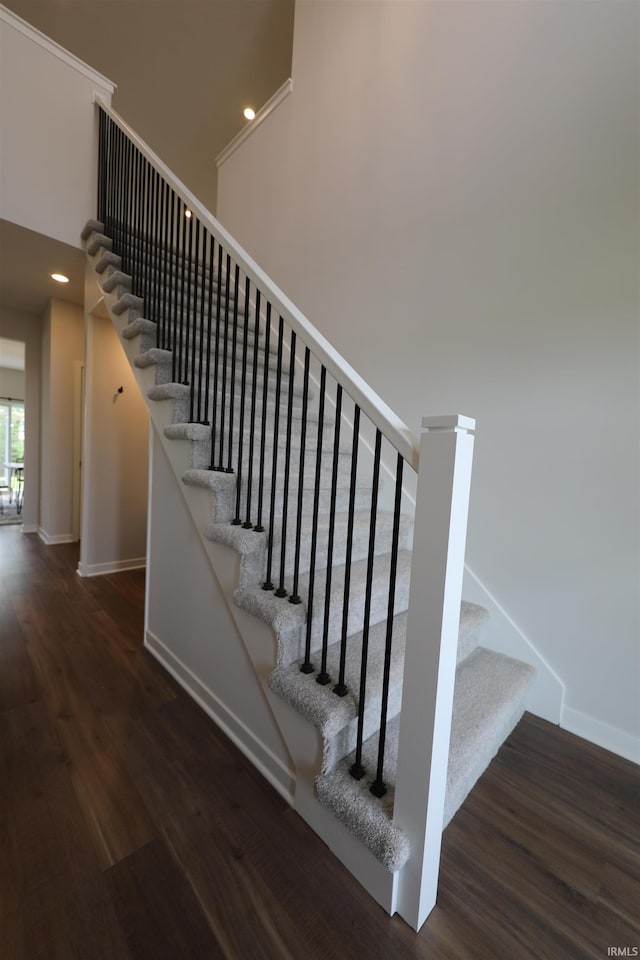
x=263 y=759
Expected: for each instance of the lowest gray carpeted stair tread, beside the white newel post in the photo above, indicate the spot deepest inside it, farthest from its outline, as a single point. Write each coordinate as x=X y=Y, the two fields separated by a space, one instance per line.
x=489 y=699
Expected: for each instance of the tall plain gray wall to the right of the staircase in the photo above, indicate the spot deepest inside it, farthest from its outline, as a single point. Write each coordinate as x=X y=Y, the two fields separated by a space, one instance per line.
x=450 y=194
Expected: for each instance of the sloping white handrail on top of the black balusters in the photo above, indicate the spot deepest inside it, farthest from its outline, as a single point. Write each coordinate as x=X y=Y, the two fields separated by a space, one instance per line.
x=382 y=416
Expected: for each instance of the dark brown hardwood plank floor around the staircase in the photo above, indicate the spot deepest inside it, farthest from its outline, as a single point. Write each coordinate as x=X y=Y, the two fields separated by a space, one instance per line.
x=132 y=829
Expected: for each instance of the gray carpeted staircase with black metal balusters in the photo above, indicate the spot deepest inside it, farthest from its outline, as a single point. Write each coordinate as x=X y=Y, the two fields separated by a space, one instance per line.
x=311 y=498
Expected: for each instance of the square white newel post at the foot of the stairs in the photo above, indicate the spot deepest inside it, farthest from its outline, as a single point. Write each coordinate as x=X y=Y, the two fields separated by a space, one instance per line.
x=444 y=479
